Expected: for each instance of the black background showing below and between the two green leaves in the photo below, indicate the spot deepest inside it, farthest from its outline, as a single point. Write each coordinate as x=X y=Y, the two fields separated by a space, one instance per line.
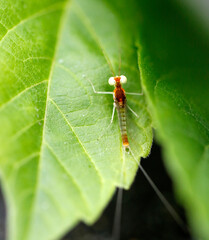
x=143 y=215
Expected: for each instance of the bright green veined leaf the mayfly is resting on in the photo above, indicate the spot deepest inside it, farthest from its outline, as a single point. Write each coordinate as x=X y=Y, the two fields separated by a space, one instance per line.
x=56 y=170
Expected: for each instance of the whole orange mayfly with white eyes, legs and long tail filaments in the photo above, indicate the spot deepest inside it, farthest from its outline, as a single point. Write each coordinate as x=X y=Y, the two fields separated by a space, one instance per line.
x=120 y=103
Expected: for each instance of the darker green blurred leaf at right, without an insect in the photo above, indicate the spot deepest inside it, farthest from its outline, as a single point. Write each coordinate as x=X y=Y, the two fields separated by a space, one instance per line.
x=174 y=62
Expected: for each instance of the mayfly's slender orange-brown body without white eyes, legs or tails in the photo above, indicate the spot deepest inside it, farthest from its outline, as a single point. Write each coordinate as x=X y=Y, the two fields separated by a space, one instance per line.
x=120 y=103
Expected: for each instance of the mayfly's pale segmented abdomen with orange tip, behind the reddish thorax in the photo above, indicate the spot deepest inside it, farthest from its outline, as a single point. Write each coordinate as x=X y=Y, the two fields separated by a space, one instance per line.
x=122 y=120
